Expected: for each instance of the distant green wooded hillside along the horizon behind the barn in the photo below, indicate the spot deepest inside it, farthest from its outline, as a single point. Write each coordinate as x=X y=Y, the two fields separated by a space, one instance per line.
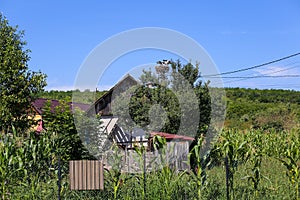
x=246 y=108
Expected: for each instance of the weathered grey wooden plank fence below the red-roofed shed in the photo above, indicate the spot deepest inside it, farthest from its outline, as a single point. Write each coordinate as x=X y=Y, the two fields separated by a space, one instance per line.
x=174 y=156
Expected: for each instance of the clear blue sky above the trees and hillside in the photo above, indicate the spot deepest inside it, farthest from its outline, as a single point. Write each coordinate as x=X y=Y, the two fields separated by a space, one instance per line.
x=236 y=34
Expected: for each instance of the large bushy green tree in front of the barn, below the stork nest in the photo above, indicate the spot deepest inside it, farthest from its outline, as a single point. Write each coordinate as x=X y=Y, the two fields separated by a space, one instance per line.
x=166 y=101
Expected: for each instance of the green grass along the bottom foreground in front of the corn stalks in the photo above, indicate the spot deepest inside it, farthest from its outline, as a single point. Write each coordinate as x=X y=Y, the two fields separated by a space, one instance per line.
x=275 y=186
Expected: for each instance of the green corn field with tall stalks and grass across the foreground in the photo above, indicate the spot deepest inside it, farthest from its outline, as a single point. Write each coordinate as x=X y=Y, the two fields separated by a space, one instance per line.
x=251 y=164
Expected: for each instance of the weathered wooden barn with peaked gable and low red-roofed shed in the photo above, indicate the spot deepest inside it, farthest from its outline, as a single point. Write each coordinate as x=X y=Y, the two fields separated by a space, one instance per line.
x=177 y=145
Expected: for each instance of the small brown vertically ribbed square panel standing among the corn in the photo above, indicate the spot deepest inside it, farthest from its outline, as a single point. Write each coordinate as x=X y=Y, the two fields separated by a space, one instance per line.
x=86 y=175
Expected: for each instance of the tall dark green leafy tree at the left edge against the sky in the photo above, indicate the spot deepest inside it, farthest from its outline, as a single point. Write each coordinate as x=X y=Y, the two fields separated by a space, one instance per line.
x=18 y=85
